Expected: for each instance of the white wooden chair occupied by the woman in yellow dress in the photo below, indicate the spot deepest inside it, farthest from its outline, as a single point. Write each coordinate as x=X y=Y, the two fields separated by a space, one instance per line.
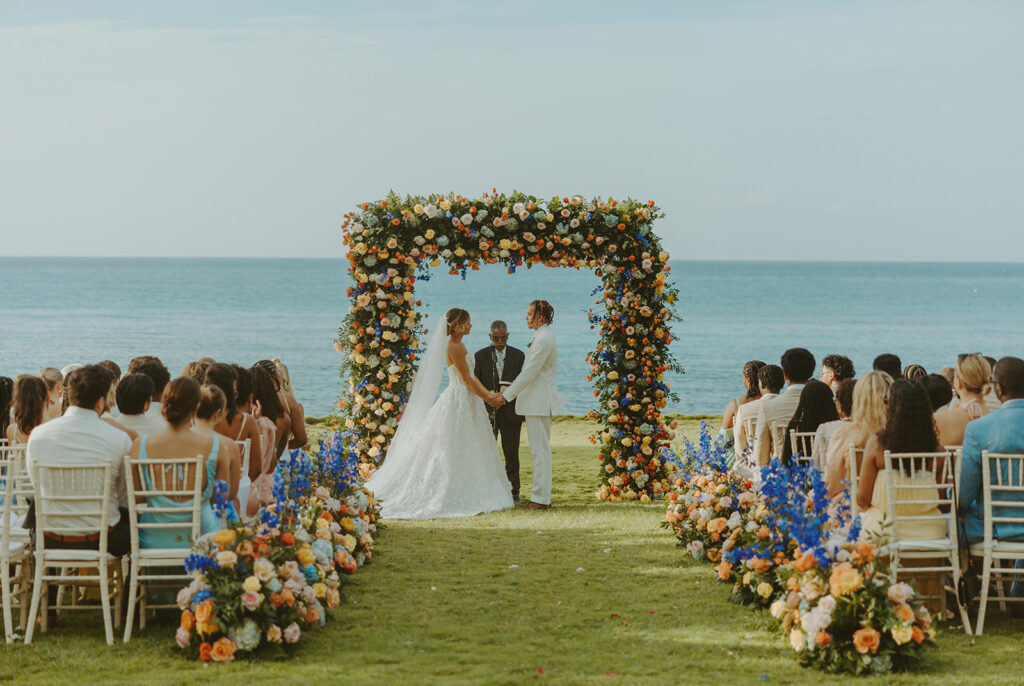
x=921 y=503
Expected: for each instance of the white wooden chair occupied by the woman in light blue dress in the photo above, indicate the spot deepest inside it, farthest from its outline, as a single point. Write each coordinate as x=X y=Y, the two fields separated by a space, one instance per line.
x=164 y=496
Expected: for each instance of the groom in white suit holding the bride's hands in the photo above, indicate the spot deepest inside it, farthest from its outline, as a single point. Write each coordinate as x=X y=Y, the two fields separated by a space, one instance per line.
x=538 y=398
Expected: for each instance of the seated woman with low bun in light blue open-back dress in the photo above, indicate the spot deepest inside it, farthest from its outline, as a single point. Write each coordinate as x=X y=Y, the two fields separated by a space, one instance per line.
x=182 y=400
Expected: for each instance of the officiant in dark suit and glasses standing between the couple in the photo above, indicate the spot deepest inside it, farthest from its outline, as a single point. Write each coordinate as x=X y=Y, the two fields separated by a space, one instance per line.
x=497 y=367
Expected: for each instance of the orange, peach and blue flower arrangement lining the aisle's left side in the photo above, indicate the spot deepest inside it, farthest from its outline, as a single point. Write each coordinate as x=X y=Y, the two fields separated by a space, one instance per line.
x=273 y=580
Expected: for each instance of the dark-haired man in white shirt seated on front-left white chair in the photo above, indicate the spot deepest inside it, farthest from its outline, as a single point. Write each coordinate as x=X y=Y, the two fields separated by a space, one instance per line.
x=80 y=438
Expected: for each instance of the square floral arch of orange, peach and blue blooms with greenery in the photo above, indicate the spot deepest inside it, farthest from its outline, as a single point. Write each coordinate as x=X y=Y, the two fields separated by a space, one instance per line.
x=395 y=242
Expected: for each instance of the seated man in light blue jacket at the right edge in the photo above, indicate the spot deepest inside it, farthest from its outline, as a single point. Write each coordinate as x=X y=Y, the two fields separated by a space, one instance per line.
x=1001 y=432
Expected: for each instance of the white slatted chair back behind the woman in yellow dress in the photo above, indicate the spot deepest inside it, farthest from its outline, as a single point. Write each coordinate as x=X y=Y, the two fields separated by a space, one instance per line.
x=917 y=493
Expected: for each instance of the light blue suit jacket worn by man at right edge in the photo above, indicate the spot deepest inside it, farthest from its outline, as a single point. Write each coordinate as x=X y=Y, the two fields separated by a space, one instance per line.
x=1001 y=432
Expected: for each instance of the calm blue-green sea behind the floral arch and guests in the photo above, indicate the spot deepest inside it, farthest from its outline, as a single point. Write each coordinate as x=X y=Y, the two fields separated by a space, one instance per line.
x=61 y=311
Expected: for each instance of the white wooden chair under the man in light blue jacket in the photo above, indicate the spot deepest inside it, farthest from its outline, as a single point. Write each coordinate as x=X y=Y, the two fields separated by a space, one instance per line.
x=1003 y=490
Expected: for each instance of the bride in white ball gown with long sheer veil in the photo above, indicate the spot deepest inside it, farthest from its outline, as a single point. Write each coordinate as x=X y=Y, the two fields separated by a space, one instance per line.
x=444 y=460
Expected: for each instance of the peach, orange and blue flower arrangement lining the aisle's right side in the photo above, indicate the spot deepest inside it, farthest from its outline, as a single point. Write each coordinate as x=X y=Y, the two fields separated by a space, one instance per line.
x=785 y=547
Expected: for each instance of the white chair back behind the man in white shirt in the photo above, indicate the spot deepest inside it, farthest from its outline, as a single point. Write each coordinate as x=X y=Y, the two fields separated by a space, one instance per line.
x=73 y=500
